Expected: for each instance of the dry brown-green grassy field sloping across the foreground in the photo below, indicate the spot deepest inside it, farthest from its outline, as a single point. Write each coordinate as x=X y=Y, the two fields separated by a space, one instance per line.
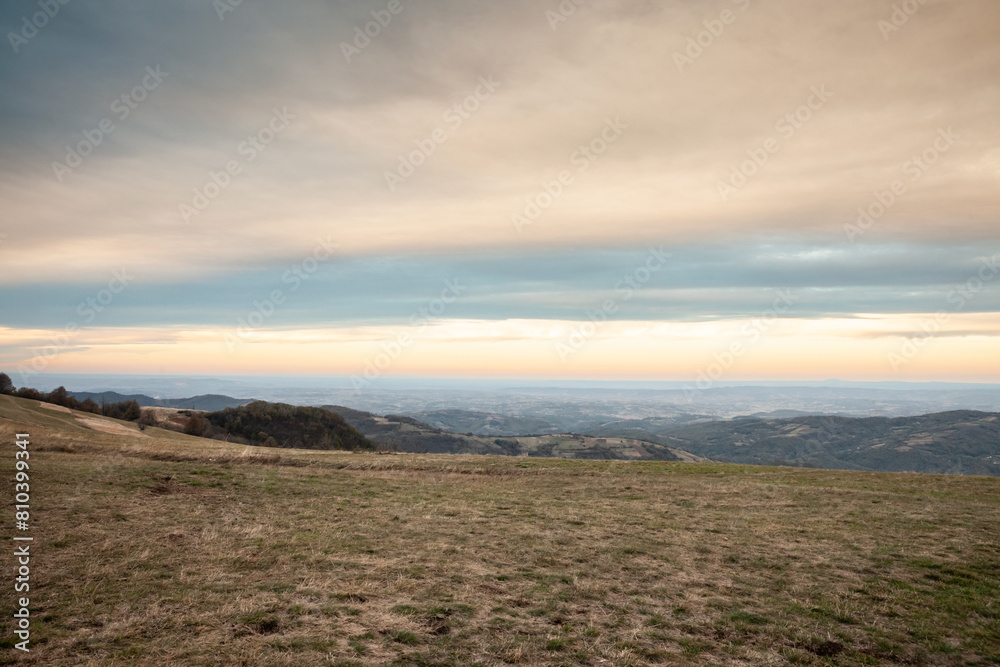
x=157 y=548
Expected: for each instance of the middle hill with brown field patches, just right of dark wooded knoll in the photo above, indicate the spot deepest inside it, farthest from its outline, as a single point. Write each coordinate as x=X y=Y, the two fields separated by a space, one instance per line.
x=406 y=434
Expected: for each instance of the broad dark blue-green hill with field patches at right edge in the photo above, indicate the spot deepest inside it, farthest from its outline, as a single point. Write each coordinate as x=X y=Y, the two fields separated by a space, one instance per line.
x=959 y=442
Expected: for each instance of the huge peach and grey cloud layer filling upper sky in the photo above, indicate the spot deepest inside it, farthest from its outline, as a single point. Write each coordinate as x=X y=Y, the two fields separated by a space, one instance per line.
x=325 y=174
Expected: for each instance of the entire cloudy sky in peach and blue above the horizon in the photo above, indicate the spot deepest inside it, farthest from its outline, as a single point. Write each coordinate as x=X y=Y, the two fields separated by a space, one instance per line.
x=693 y=190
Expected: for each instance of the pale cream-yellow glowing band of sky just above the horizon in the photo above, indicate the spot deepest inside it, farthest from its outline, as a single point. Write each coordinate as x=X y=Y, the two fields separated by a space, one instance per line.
x=629 y=349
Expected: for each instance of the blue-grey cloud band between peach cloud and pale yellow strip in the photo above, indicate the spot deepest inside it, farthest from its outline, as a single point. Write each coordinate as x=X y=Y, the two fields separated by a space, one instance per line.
x=697 y=283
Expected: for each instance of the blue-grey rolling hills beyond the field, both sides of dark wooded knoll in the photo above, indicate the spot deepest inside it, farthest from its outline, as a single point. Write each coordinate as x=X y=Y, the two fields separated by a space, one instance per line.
x=954 y=442
